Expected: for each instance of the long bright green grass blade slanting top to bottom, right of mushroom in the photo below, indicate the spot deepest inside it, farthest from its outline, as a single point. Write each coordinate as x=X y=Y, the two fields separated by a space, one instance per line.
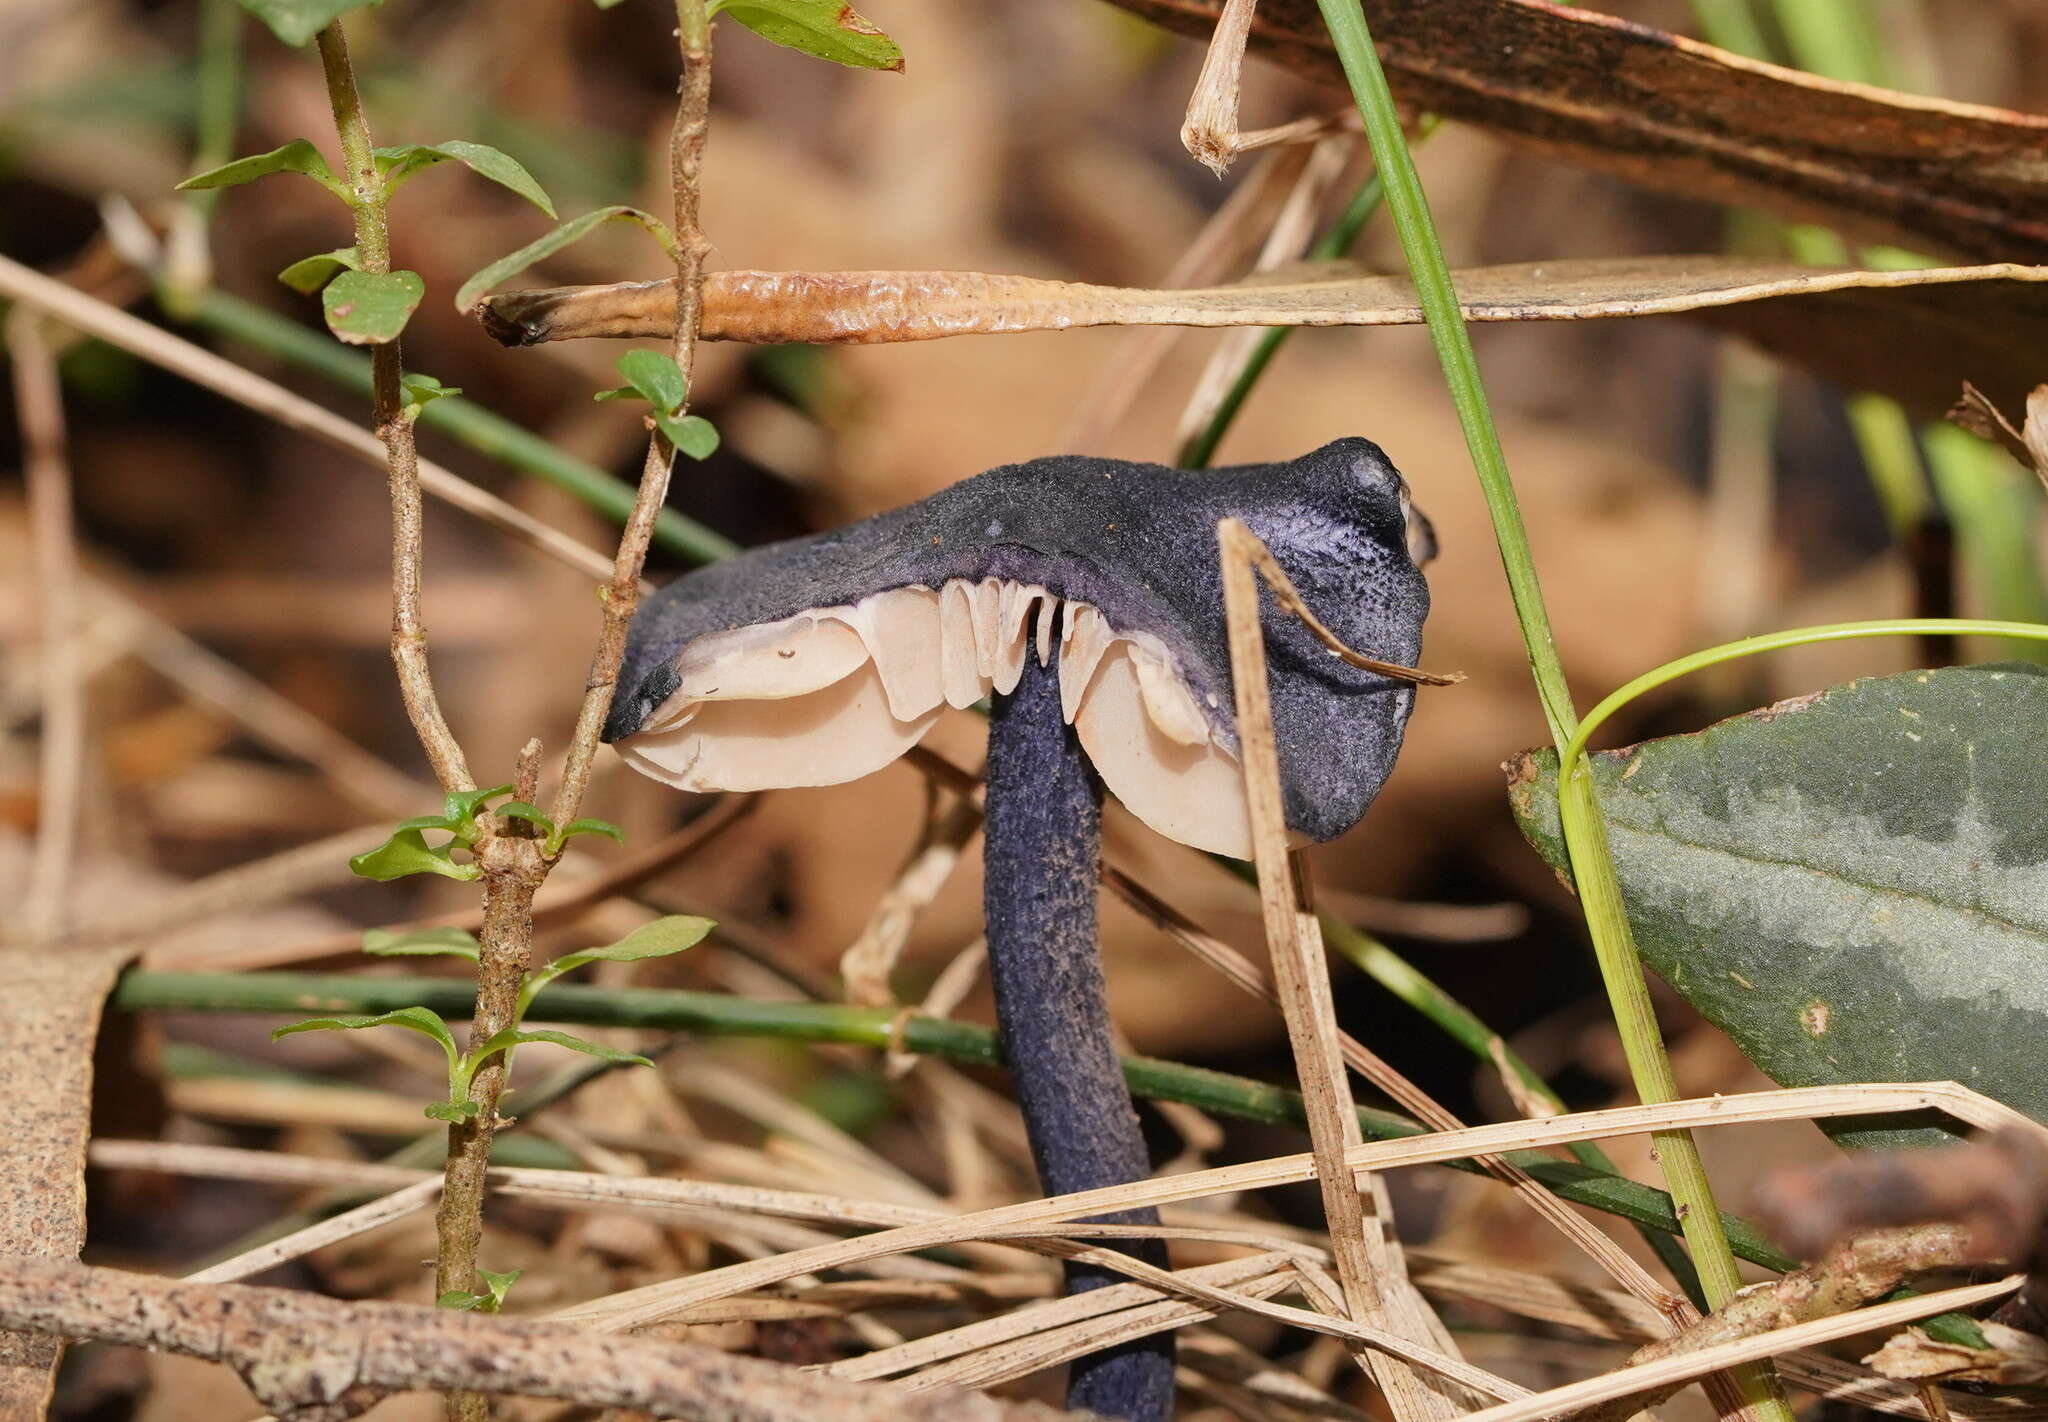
x=1619 y=964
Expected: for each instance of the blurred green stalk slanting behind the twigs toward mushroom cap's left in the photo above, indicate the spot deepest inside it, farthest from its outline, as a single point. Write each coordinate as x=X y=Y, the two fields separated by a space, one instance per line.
x=462 y=421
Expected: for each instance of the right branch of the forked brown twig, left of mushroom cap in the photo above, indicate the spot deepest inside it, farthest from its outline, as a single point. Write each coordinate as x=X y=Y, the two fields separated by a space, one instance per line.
x=685 y=159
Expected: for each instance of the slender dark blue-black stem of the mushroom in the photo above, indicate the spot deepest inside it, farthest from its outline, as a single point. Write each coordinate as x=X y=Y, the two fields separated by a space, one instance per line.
x=1043 y=866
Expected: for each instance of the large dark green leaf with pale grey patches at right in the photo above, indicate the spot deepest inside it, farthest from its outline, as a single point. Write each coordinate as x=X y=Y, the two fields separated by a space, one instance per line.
x=1848 y=884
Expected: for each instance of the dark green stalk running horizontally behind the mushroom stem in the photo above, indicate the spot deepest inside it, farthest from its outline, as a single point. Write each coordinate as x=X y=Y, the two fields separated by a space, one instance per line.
x=718 y=1015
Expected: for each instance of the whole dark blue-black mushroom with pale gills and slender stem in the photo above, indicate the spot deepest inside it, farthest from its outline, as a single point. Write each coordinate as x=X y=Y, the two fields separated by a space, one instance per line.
x=1084 y=599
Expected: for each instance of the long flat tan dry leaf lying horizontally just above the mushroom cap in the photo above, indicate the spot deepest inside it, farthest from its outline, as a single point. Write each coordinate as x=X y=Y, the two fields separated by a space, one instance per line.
x=1912 y=335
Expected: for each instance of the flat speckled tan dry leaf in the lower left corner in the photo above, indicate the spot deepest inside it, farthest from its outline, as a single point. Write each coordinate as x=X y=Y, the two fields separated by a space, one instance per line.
x=50 y=1017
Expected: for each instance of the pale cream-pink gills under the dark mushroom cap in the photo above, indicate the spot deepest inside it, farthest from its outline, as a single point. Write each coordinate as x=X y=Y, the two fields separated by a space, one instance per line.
x=837 y=694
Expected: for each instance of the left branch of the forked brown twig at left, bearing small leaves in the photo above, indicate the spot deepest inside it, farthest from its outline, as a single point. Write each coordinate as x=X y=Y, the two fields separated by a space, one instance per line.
x=388 y=409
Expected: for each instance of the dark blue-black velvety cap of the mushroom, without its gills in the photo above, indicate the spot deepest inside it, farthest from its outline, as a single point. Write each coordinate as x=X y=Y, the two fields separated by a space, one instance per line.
x=1140 y=546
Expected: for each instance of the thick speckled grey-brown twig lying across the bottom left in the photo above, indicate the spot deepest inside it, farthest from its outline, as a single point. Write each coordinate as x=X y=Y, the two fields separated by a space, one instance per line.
x=318 y=1360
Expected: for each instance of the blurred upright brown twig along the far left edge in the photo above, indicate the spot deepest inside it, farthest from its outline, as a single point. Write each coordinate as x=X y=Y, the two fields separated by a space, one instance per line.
x=62 y=745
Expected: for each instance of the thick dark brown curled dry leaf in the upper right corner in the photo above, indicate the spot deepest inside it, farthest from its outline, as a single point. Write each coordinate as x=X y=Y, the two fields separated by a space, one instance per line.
x=1684 y=118
